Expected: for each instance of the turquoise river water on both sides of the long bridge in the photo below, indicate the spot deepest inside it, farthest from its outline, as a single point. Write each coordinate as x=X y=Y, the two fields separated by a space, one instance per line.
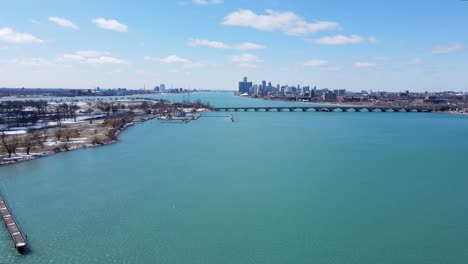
x=269 y=188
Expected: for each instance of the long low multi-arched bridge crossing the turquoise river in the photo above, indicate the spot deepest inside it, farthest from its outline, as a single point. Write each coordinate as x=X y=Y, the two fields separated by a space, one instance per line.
x=323 y=109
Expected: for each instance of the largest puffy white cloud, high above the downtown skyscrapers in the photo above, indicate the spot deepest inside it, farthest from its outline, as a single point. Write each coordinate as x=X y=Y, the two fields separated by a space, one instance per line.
x=286 y=22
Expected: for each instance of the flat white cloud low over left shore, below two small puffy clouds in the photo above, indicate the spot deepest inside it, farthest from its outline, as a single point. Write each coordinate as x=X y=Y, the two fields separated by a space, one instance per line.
x=91 y=57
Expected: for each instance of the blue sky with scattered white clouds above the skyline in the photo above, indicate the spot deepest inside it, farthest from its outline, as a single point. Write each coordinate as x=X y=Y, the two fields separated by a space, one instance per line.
x=356 y=45
